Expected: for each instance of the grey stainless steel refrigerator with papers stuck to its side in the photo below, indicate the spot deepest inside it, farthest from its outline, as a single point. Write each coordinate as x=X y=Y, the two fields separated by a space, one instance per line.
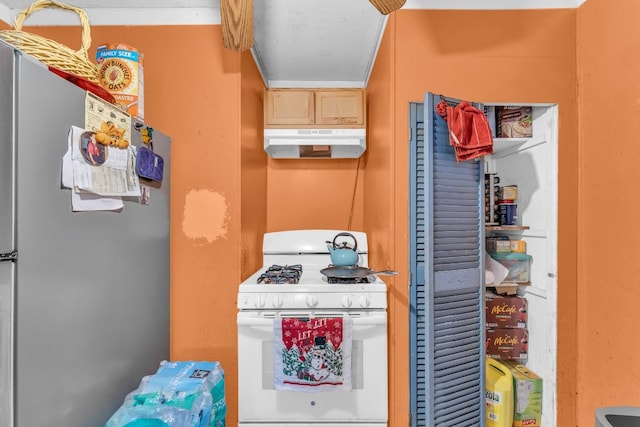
x=84 y=297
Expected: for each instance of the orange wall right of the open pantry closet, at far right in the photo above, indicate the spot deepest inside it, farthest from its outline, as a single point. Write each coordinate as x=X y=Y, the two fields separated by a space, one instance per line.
x=608 y=291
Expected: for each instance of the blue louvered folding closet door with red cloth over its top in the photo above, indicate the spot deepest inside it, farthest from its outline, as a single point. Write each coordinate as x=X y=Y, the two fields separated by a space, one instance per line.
x=446 y=257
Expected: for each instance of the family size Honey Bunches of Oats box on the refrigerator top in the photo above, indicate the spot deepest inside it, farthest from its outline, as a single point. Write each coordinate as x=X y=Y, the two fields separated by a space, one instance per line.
x=121 y=72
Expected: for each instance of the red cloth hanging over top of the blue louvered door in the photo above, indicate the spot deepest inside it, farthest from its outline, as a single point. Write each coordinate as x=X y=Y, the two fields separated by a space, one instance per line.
x=469 y=130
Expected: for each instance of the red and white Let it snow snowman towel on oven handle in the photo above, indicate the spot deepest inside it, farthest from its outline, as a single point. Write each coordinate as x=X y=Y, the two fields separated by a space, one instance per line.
x=312 y=354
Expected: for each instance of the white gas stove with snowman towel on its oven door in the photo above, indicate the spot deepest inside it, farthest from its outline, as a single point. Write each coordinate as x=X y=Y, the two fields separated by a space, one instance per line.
x=278 y=380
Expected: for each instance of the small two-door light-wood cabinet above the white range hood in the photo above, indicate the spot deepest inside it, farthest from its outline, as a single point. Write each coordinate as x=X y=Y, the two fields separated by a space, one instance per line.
x=314 y=108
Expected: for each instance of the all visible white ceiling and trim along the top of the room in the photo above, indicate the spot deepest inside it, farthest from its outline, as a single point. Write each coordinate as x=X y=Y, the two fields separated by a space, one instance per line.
x=297 y=43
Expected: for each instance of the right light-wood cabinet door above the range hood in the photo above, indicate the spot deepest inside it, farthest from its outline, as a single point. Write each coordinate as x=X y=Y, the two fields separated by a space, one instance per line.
x=340 y=107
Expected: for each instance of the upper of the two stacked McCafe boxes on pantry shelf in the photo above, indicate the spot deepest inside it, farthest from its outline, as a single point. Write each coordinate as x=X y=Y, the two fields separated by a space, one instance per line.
x=505 y=311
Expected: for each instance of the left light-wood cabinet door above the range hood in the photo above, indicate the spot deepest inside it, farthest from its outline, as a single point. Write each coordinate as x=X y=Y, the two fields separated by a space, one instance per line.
x=288 y=107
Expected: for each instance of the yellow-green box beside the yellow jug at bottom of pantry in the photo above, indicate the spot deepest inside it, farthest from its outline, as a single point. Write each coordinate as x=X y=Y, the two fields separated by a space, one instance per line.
x=527 y=399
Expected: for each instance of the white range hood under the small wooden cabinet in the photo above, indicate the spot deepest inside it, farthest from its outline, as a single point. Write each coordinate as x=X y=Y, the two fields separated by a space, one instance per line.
x=315 y=143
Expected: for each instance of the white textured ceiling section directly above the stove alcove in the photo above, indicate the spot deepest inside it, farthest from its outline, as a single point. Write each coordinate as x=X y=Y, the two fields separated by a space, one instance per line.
x=316 y=43
